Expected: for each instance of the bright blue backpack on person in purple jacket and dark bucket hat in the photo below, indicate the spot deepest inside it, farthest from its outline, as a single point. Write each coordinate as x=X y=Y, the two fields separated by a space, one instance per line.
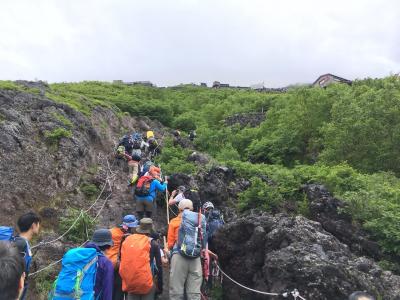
x=77 y=277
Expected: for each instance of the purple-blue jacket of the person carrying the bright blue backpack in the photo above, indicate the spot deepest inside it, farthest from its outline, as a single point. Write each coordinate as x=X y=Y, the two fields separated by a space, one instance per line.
x=104 y=276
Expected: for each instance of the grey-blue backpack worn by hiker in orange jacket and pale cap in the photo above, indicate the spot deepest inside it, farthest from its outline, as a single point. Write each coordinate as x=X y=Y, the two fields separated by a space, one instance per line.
x=189 y=239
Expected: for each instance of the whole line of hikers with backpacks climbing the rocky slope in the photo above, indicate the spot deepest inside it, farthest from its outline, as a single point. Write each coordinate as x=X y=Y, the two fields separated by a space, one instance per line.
x=127 y=261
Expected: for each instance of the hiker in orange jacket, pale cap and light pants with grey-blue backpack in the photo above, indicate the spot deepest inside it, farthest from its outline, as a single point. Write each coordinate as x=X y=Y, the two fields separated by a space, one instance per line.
x=187 y=241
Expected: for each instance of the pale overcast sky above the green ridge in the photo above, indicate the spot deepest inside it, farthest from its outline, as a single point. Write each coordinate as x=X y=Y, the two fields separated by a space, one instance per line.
x=168 y=42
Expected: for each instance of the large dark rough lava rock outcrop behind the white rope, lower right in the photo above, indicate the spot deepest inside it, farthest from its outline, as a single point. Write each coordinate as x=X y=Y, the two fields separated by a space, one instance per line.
x=278 y=253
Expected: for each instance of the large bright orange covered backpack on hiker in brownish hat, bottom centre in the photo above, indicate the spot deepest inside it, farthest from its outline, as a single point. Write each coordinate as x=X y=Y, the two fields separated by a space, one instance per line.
x=135 y=270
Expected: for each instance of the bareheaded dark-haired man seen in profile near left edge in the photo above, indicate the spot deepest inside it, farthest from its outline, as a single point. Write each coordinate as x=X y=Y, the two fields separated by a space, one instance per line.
x=28 y=225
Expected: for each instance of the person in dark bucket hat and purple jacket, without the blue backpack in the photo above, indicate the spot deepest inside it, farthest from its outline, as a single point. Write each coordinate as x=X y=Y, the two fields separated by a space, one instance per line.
x=102 y=241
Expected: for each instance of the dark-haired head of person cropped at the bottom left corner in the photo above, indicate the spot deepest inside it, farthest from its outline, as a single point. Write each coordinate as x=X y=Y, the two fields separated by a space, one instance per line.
x=12 y=275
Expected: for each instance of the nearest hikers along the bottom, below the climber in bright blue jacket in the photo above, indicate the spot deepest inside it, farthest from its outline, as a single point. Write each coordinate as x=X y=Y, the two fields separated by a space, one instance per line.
x=124 y=262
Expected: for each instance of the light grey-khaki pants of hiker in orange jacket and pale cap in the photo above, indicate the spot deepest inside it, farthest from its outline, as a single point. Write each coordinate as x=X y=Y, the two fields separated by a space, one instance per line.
x=186 y=275
